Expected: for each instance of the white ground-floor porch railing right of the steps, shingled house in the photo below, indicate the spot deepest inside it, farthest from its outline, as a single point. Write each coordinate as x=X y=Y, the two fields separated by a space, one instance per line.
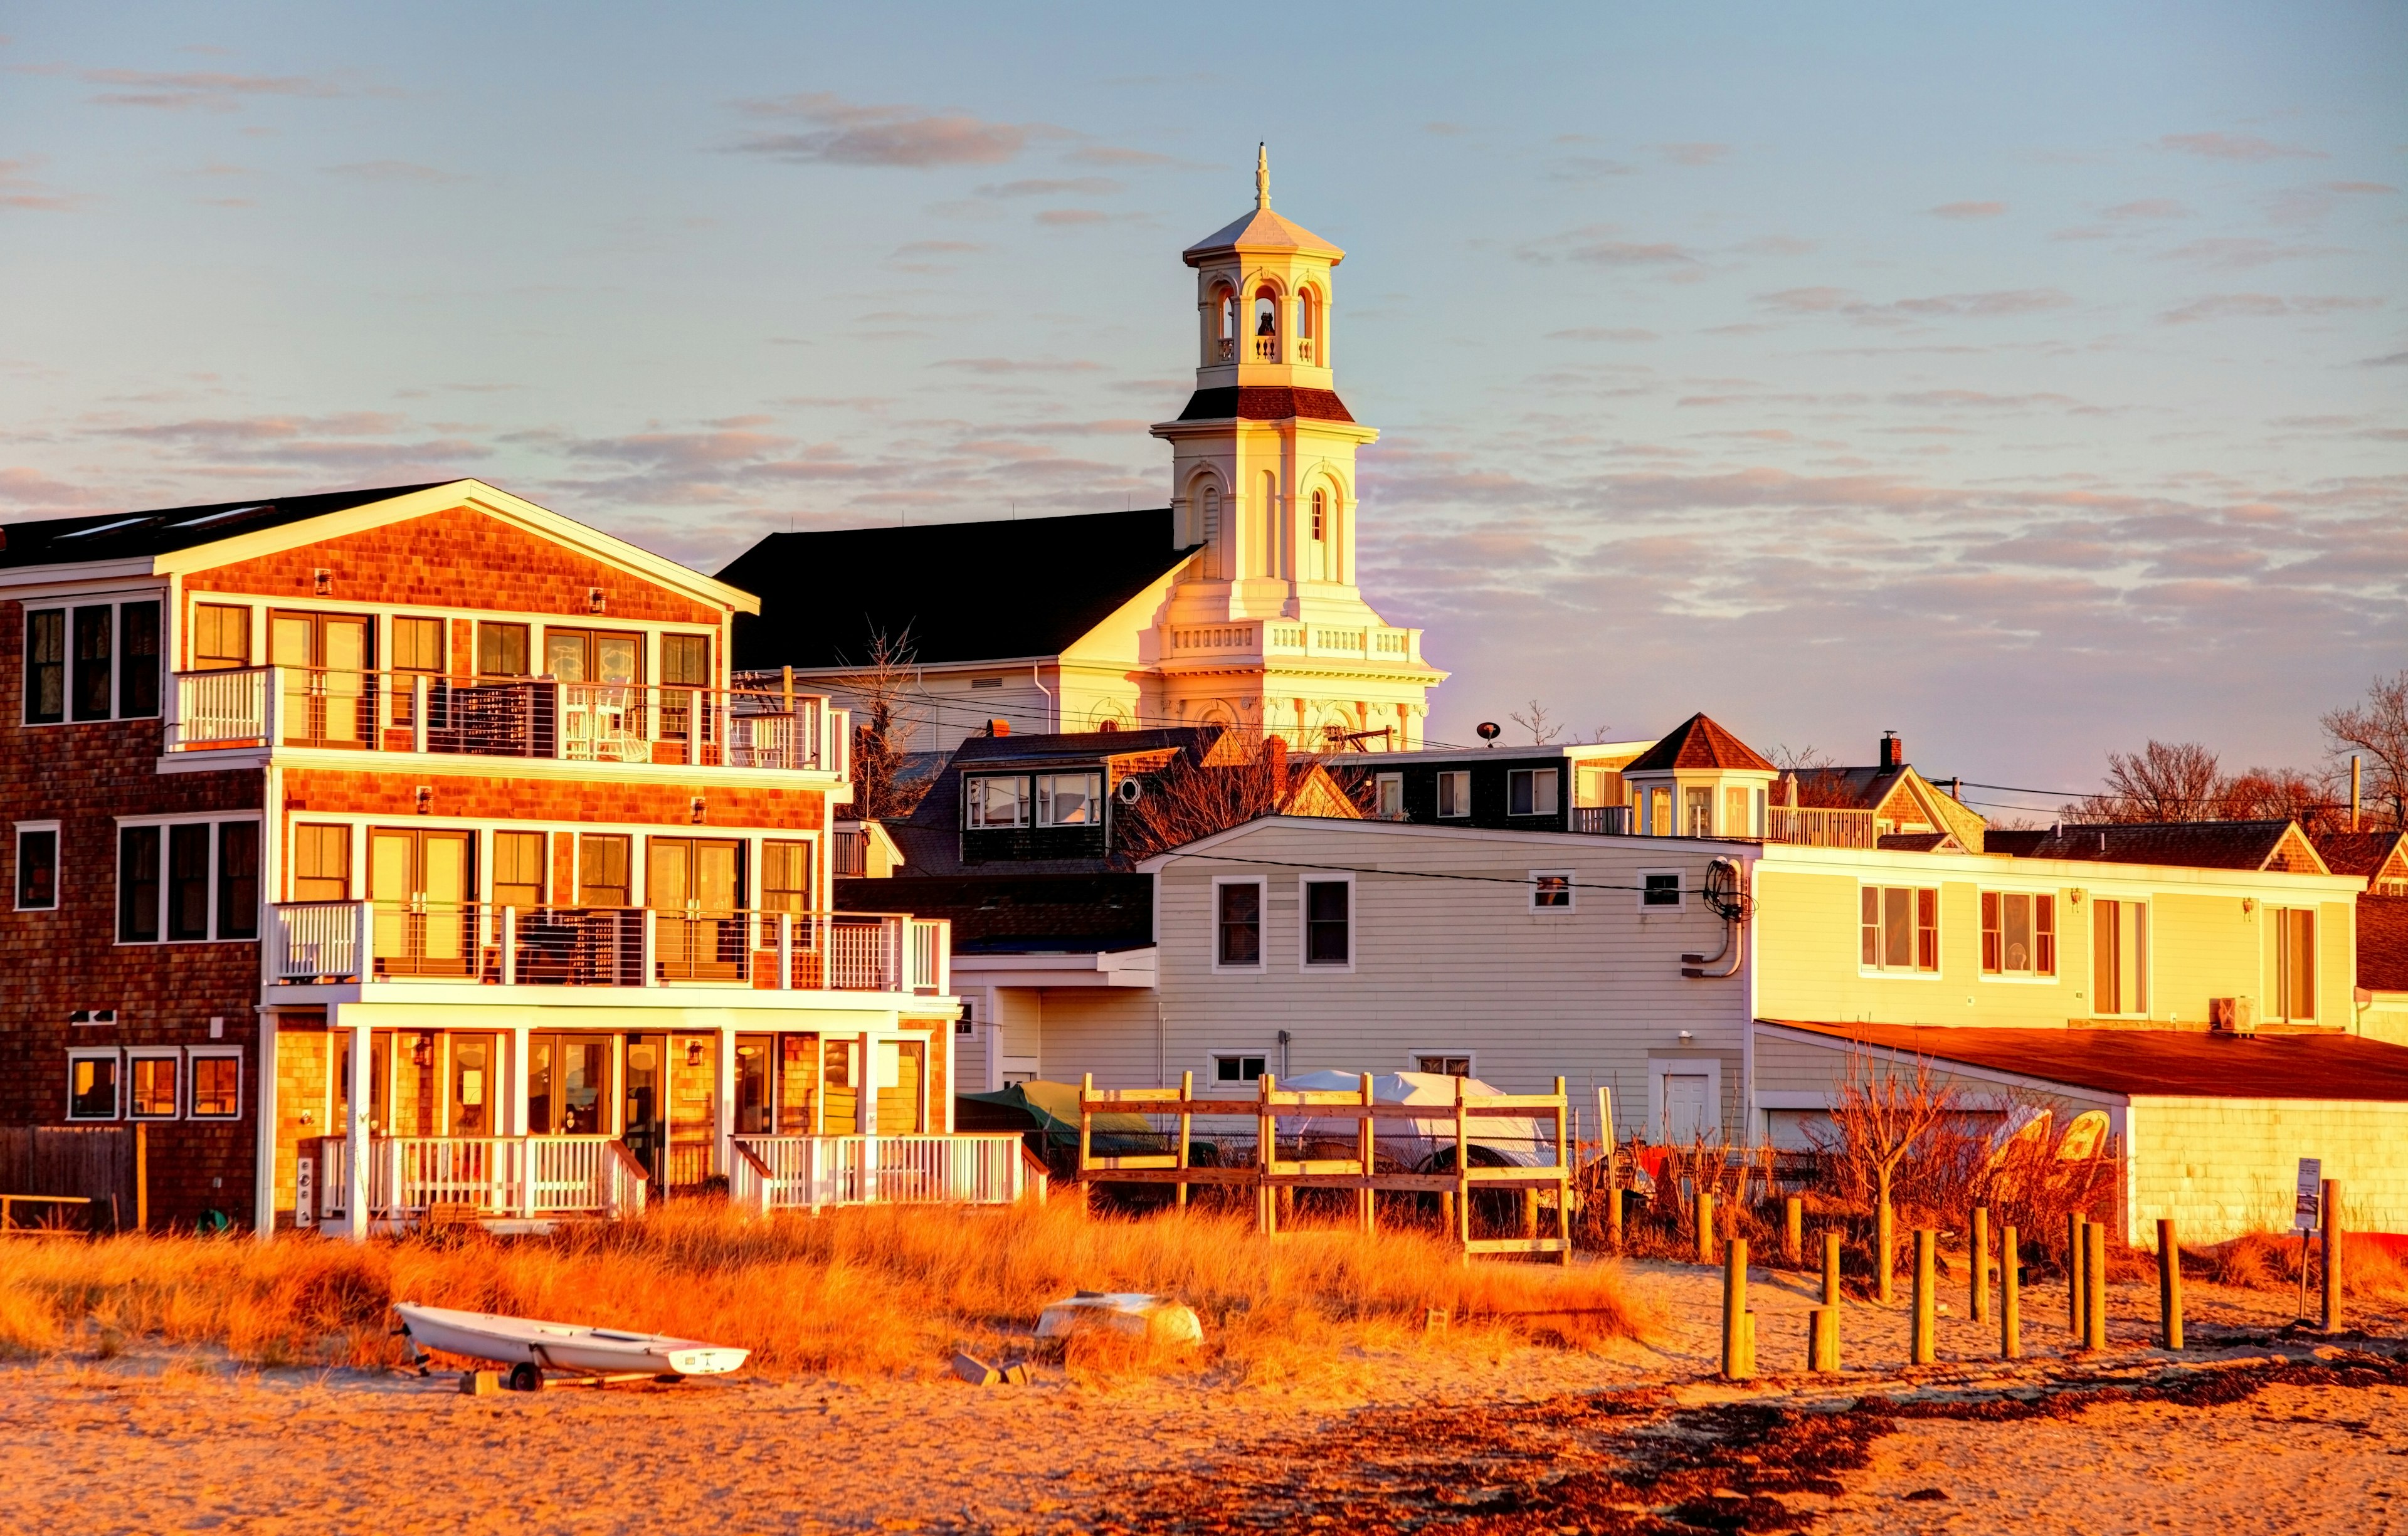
x=805 y=1174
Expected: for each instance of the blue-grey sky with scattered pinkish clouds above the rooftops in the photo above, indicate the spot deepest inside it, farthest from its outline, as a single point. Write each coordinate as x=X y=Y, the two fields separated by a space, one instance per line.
x=2022 y=379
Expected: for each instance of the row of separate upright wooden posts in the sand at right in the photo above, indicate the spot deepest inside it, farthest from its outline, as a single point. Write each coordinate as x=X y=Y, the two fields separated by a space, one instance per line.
x=2087 y=1287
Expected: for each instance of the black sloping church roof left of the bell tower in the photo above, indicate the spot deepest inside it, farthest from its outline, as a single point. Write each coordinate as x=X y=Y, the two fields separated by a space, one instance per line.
x=964 y=591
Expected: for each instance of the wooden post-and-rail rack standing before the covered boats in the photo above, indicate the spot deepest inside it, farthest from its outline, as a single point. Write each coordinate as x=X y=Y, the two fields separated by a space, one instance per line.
x=1277 y=1181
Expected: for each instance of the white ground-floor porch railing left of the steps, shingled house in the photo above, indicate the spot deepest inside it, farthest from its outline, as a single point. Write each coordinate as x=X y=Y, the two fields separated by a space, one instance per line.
x=500 y=1176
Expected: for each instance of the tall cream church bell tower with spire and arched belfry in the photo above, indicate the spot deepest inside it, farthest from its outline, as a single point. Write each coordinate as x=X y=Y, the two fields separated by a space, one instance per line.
x=1268 y=627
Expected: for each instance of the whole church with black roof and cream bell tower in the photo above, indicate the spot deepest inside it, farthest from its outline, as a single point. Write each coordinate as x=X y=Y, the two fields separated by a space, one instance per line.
x=1234 y=605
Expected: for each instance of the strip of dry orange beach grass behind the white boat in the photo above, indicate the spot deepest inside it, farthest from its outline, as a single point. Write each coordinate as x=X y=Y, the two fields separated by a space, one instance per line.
x=856 y=1294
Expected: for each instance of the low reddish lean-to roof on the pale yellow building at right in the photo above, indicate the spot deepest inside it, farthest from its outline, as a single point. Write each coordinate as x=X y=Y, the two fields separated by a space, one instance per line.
x=2154 y=1063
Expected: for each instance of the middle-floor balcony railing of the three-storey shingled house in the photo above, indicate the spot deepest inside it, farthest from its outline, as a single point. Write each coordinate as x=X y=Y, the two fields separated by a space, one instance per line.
x=608 y=947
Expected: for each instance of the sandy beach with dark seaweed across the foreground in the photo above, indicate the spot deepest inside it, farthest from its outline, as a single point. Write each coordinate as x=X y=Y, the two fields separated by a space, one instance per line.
x=2248 y=1431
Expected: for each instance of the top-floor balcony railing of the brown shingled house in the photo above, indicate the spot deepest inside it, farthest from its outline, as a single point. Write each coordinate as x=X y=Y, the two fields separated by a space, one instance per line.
x=507 y=719
